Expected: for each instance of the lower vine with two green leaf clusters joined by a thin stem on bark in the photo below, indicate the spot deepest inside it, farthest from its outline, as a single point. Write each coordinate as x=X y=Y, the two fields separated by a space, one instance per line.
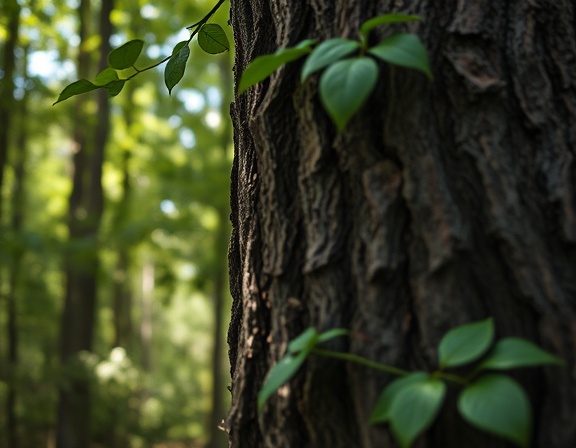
x=493 y=402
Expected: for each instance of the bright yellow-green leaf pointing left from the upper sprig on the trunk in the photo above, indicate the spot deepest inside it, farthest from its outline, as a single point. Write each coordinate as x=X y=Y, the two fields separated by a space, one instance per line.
x=263 y=66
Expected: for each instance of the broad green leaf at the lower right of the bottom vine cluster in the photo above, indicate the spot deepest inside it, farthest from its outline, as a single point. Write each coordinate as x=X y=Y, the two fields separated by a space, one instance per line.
x=497 y=404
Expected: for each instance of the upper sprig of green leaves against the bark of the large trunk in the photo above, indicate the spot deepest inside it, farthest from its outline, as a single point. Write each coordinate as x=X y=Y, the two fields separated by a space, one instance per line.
x=346 y=84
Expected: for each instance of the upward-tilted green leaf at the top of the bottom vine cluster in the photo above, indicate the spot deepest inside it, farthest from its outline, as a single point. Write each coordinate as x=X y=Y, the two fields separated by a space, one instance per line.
x=466 y=343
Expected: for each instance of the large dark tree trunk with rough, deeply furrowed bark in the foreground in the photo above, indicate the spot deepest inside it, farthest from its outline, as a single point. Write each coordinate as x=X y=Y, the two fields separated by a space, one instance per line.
x=441 y=203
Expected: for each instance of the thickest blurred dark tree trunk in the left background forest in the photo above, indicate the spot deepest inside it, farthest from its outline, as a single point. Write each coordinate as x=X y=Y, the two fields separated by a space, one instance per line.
x=86 y=205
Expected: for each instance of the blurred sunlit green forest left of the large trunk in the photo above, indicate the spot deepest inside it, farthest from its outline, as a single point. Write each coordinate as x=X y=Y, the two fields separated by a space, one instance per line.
x=157 y=361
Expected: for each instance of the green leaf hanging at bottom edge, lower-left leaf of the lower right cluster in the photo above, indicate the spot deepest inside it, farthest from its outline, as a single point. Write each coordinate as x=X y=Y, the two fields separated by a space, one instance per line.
x=414 y=408
